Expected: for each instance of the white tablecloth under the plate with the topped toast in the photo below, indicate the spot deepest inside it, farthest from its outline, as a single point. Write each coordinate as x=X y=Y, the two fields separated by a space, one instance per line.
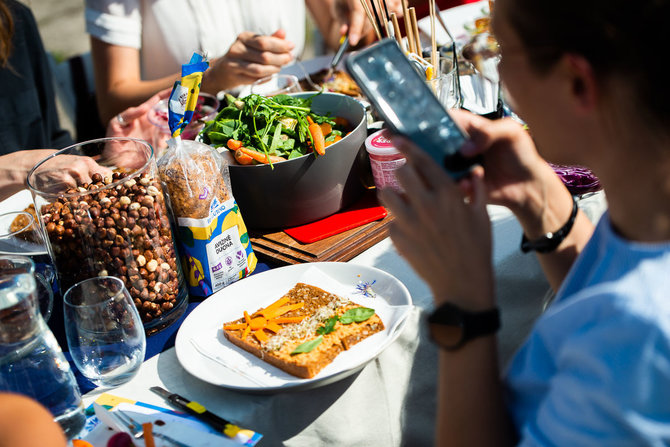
x=392 y=400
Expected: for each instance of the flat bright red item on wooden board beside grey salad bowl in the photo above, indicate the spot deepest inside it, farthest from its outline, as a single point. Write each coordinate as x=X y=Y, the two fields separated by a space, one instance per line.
x=366 y=210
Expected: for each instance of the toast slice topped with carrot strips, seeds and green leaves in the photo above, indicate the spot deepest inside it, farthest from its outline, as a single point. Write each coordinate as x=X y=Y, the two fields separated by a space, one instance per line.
x=304 y=330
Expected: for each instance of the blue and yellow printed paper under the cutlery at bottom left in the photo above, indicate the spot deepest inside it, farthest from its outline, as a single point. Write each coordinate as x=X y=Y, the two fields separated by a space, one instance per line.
x=200 y=432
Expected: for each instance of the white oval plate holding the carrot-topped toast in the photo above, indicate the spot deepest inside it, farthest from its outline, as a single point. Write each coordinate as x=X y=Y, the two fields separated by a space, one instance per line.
x=204 y=352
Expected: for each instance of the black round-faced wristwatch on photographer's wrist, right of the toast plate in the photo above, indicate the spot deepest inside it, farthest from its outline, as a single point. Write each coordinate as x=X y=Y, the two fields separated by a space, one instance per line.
x=451 y=327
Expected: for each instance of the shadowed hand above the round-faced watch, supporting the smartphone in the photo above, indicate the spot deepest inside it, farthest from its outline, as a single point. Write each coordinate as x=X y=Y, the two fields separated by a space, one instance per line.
x=442 y=229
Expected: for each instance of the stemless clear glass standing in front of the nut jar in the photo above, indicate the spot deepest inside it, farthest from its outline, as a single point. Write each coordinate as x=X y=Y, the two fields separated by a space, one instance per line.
x=104 y=331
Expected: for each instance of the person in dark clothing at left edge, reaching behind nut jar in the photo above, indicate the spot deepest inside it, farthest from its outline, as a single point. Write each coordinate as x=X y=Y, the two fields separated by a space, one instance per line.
x=30 y=121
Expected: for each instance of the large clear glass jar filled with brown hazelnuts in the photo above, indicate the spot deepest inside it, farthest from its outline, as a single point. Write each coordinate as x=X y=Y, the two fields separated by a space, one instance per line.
x=102 y=206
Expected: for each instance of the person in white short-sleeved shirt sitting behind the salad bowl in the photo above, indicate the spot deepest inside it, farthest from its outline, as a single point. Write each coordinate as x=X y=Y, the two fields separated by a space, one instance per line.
x=138 y=46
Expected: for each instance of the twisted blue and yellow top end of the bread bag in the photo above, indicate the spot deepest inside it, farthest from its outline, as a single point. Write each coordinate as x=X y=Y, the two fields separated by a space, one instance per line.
x=184 y=96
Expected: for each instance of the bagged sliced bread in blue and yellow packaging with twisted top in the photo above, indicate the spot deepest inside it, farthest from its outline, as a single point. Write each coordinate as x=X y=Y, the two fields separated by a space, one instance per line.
x=213 y=242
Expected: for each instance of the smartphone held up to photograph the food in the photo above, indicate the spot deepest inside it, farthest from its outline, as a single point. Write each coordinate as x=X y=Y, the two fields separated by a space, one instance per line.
x=408 y=106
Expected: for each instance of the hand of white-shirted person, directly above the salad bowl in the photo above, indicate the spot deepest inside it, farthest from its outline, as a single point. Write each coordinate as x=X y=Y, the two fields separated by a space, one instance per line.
x=250 y=58
